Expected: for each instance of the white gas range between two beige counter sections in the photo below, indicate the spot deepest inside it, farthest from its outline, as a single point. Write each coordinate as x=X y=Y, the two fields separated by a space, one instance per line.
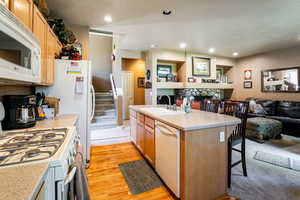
x=55 y=146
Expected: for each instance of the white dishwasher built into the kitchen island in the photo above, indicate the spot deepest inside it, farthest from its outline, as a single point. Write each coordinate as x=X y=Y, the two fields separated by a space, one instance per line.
x=167 y=155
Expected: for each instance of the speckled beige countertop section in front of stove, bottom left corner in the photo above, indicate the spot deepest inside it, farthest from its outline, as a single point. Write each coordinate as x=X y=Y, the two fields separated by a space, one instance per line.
x=22 y=182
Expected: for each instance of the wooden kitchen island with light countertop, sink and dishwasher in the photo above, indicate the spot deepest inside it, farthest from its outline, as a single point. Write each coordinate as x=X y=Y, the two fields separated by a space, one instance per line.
x=187 y=150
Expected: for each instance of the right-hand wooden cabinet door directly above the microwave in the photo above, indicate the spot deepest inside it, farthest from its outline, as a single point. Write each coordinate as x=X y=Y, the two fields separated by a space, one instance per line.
x=22 y=9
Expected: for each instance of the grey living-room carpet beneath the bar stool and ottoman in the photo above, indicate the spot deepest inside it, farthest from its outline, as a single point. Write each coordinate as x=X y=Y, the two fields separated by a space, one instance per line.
x=267 y=181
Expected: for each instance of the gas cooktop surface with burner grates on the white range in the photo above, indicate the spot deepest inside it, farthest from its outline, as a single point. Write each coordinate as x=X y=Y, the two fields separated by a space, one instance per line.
x=28 y=146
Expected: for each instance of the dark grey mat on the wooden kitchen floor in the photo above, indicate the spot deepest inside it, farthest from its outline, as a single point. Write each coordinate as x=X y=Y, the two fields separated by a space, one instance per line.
x=139 y=176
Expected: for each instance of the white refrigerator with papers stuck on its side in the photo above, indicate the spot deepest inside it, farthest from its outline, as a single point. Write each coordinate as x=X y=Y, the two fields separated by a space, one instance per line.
x=73 y=86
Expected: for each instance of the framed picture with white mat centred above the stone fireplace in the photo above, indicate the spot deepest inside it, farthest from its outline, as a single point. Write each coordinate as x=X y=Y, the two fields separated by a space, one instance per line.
x=201 y=66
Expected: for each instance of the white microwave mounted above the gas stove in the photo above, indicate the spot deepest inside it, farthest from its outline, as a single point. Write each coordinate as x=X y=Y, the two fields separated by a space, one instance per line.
x=20 y=53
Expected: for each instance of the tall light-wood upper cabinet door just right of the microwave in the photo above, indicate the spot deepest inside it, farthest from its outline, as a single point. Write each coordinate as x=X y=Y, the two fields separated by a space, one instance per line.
x=39 y=28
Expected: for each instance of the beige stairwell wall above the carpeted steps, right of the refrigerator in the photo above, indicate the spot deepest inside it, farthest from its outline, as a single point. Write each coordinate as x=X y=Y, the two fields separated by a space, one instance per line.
x=100 y=55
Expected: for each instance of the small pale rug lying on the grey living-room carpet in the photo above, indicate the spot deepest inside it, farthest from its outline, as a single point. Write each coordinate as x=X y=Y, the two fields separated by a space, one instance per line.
x=278 y=160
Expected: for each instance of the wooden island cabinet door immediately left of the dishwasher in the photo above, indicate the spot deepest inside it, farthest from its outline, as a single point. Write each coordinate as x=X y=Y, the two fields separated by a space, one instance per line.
x=149 y=144
